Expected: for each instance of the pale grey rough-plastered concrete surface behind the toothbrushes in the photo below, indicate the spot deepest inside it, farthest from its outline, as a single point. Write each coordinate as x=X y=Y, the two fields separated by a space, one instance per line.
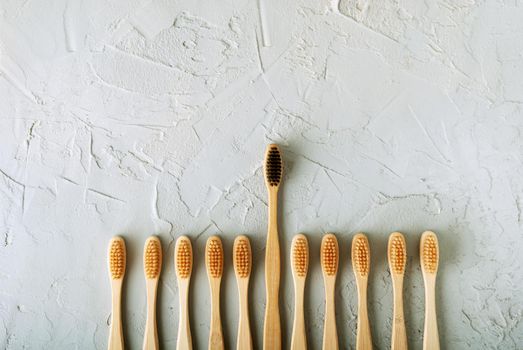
x=151 y=117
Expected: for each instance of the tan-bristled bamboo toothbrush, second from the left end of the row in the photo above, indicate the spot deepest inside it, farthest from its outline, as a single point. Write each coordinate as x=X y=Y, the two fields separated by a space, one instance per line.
x=152 y=263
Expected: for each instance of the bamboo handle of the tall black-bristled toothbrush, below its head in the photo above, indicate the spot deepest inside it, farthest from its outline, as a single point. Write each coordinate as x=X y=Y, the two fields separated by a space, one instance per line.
x=272 y=328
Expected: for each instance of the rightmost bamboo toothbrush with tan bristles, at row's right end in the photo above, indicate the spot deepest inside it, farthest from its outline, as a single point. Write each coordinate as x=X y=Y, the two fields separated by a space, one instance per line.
x=429 y=259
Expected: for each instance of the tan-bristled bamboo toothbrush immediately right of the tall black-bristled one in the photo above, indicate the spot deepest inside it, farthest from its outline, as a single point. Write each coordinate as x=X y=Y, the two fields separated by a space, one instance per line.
x=300 y=266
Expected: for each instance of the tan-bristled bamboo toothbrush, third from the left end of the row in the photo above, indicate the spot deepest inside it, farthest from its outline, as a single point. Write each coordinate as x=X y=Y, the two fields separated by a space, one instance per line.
x=183 y=259
